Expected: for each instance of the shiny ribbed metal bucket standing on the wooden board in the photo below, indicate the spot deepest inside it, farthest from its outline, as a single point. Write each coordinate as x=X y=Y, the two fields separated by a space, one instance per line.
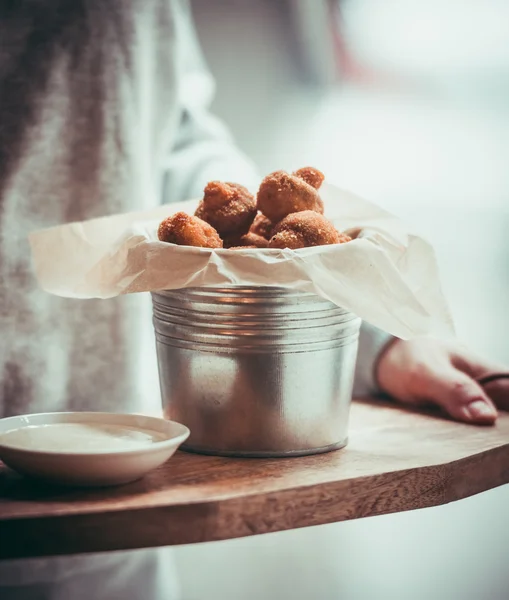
x=256 y=371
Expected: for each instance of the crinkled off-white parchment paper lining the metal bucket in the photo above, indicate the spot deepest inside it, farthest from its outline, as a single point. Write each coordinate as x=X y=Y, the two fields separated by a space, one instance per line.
x=387 y=275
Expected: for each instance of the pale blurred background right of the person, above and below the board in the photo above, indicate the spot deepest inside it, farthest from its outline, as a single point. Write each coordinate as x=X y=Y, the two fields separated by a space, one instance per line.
x=406 y=103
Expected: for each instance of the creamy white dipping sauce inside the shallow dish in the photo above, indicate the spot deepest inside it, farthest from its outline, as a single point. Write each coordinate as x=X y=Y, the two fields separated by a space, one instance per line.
x=80 y=438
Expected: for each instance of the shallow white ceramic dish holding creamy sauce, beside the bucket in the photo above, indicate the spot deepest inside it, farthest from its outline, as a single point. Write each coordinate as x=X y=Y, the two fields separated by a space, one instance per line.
x=120 y=448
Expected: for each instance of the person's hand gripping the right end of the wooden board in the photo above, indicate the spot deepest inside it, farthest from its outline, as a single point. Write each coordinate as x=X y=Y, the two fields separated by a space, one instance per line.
x=424 y=371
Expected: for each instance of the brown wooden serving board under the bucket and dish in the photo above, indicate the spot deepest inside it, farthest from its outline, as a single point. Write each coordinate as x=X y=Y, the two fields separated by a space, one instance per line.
x=396 y=460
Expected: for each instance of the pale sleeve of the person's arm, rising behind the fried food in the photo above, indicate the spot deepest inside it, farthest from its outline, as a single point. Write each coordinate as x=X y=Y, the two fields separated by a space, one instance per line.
x=203 y=149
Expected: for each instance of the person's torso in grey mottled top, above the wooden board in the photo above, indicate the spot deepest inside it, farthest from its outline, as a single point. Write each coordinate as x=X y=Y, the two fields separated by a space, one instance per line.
x=87 y=109
